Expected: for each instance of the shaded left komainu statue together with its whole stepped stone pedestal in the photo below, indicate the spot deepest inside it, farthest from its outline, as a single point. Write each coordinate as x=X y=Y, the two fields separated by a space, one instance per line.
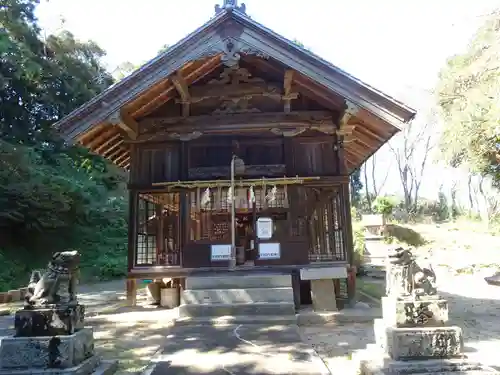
x=50 y=337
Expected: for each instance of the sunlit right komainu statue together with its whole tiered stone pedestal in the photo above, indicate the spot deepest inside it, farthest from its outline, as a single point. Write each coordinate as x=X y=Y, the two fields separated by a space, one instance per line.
x=413 y=335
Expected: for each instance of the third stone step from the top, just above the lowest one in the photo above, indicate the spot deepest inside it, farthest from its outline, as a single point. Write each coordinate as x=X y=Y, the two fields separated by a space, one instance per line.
x=237 y=309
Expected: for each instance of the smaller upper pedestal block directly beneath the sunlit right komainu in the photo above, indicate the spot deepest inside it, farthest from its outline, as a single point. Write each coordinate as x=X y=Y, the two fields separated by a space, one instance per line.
x=425 y=312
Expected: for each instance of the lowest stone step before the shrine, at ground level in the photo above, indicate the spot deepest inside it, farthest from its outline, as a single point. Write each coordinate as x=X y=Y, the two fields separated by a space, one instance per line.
x=235 y=320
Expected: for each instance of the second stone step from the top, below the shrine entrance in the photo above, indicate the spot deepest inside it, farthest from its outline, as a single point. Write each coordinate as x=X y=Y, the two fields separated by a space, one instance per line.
x=249 y=295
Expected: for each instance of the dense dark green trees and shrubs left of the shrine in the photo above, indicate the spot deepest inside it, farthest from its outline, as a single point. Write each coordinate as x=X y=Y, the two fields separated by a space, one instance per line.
x=52 y=196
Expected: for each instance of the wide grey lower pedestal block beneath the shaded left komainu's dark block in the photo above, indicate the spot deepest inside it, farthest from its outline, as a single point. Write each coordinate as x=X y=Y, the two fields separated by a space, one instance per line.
x=54 y=352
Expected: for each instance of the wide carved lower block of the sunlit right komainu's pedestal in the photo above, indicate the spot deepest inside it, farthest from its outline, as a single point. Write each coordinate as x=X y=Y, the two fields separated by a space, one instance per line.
x=423 y=342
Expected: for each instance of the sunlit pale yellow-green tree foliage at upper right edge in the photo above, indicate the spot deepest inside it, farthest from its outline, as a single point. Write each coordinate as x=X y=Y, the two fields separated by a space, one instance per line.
x=468 y=98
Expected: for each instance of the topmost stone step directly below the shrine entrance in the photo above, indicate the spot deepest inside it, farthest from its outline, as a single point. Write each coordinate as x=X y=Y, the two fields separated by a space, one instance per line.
x=238 y=281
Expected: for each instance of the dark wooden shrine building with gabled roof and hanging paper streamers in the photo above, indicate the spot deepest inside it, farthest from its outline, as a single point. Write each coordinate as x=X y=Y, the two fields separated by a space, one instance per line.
x=235 y=94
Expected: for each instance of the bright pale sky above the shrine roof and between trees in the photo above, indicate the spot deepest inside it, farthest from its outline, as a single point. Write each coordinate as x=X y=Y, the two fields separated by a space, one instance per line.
x=394 y=45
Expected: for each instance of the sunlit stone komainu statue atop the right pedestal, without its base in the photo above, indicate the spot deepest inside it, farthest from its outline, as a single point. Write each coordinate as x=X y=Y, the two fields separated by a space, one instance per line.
x=407 y=278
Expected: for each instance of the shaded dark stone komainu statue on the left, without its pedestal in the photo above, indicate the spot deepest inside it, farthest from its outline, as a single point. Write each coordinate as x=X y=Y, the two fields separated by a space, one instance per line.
x=44 y=289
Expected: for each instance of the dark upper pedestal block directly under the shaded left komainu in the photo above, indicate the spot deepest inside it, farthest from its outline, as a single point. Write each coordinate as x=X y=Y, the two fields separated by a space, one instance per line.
x=54 y=321
